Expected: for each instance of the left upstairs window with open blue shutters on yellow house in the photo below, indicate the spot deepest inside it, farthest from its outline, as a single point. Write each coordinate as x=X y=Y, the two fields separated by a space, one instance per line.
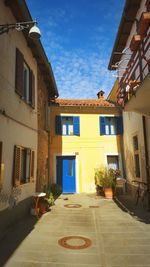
x=66 y=125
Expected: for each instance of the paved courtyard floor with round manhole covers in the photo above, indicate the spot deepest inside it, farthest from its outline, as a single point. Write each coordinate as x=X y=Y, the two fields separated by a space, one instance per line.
x=98 y=233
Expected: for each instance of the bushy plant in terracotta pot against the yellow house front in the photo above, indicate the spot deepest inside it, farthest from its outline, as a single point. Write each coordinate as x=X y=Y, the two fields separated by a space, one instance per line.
x=105 y=178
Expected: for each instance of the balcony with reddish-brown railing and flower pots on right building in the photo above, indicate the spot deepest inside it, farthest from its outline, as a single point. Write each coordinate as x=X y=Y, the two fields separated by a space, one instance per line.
x=137 y=71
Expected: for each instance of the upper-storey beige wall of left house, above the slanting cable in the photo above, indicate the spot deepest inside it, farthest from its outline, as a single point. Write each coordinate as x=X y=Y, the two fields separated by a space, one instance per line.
x=14 y=106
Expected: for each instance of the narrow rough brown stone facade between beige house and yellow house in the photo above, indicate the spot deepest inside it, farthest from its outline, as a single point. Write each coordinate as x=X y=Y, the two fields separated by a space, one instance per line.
x=45 y=93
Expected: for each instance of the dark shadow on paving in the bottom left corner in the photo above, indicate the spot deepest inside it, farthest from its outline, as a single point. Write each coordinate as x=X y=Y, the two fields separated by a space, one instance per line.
x=14 y=236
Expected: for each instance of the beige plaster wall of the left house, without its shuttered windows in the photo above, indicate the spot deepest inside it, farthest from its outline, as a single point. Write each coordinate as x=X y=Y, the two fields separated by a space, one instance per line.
x=19 y=127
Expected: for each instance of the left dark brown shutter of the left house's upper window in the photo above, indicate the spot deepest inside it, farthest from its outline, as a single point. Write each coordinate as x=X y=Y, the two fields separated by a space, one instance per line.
x=19 y=88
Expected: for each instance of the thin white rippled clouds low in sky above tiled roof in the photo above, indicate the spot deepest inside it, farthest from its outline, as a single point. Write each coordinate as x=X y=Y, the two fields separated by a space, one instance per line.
x=81 y=75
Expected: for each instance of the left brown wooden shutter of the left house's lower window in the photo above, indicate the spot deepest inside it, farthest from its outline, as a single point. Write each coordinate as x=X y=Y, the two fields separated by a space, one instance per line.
x=17 y=166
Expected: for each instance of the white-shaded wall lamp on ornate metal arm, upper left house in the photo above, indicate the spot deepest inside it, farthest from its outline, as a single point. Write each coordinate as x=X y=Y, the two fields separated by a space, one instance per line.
x=34 y=31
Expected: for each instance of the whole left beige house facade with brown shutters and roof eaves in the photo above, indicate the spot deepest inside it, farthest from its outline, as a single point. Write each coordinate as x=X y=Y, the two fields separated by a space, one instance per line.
x=22 y=63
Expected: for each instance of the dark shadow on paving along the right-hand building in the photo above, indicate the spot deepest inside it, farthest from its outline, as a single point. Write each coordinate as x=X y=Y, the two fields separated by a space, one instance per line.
x=126 y=203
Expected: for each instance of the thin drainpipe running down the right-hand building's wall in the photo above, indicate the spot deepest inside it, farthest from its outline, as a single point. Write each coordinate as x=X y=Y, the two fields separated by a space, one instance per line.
x=146 y=159
